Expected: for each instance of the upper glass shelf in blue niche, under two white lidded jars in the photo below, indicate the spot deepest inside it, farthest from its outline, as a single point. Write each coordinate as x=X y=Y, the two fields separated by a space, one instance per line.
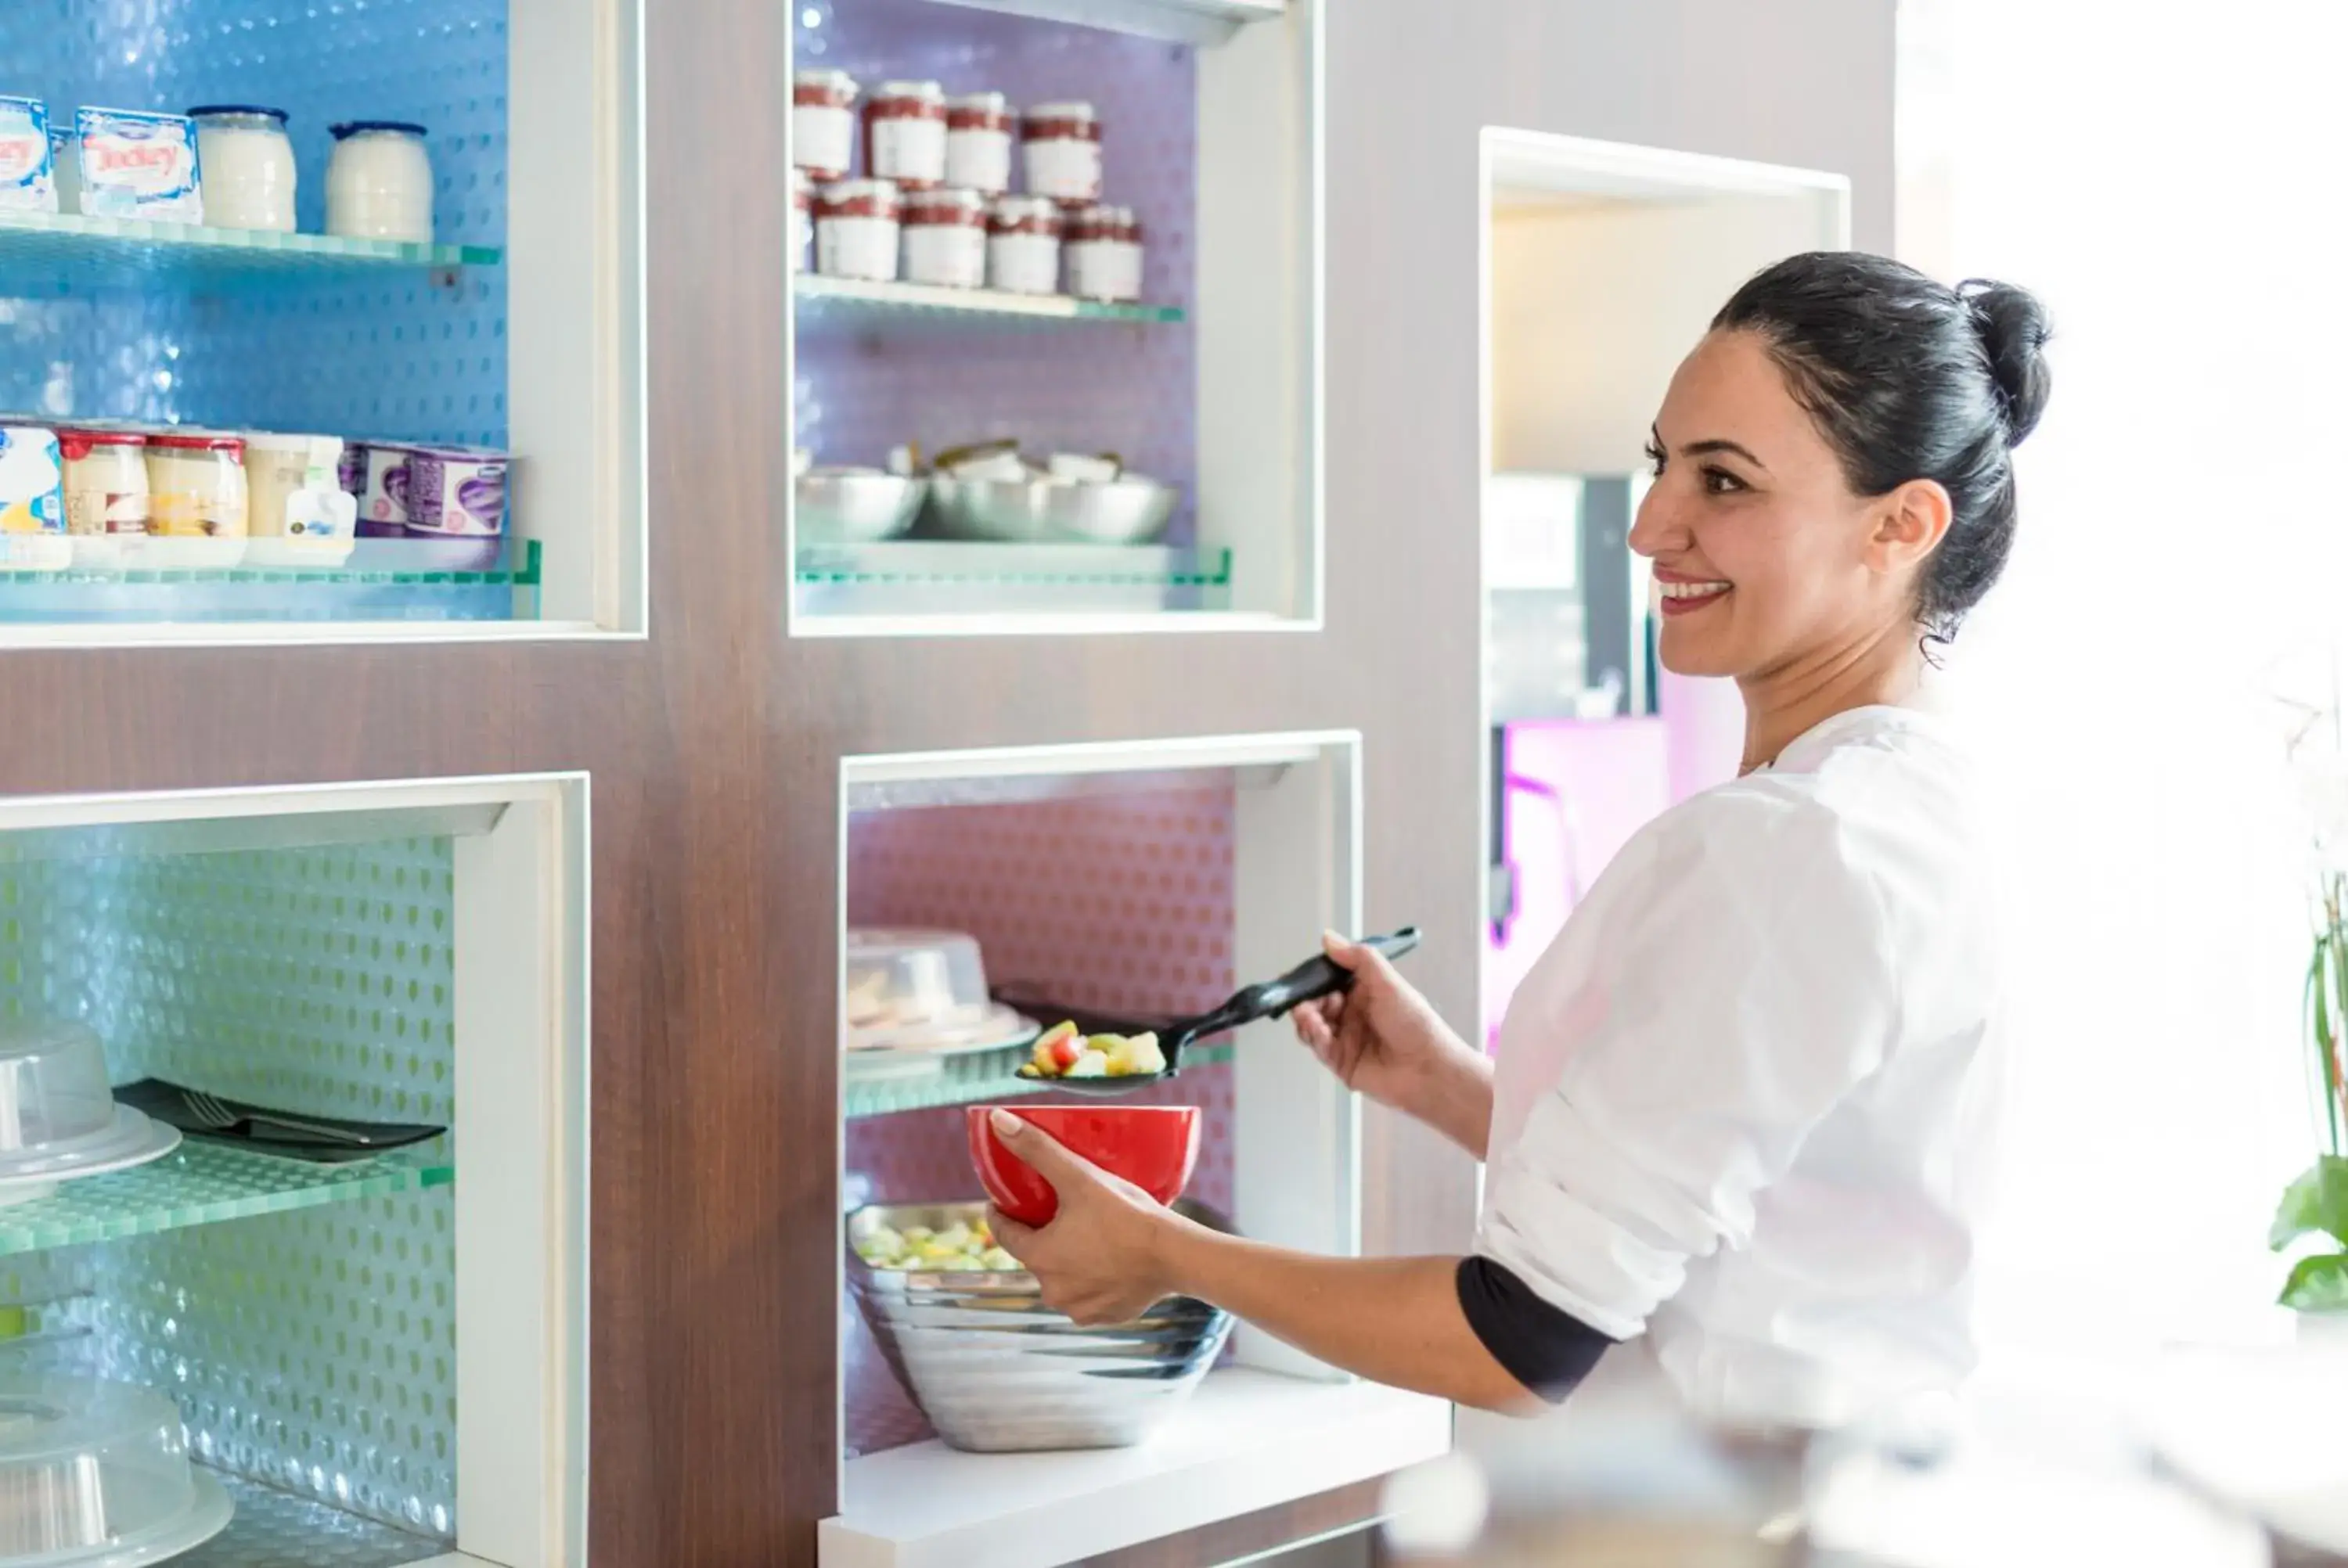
x=48 y=250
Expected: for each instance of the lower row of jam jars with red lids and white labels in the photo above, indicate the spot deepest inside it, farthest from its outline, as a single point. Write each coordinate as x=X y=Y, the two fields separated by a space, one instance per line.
x=962 y=241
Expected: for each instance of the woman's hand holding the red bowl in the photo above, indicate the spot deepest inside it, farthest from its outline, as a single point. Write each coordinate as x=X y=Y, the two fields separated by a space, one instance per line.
x=1105 y=1255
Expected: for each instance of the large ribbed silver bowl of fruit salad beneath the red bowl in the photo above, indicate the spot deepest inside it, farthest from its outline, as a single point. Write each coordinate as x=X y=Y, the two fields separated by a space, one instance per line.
x=999 y=1372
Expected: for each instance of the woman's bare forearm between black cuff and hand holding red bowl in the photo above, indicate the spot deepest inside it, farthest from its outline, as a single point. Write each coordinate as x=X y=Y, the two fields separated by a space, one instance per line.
x=1391 y=1320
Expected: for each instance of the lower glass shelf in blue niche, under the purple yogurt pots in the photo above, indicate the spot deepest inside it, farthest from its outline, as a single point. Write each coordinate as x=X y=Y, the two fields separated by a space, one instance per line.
x=382 y=581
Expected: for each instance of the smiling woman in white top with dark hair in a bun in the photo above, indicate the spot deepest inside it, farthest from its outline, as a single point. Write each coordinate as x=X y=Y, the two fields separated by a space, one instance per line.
x=1741 y=1104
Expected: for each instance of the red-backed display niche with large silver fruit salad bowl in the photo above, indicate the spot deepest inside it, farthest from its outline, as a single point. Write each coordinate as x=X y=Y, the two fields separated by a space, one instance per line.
x=1065 y=933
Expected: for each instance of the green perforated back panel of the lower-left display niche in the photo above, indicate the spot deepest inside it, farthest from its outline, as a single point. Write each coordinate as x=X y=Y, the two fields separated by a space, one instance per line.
x=313 y=1351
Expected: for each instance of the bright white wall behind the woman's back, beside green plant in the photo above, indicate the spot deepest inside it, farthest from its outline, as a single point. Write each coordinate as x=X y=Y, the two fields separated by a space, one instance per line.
x=2161 y=177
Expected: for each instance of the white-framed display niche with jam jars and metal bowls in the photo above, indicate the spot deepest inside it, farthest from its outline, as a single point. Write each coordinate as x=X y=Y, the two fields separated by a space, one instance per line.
x=1055 y=351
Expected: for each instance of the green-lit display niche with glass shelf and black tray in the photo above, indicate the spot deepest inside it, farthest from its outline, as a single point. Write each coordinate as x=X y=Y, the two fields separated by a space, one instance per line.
x=292 y=1177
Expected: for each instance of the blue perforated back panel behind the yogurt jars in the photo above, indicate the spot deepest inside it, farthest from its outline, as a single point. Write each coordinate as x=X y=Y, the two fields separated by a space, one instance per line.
x=400 y=358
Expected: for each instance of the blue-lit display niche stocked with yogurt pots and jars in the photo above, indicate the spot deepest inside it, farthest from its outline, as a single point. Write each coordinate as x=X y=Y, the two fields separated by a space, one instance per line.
x=321 y=323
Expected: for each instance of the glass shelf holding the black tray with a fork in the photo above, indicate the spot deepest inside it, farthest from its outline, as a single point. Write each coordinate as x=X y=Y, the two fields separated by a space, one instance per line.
x=203 y=1184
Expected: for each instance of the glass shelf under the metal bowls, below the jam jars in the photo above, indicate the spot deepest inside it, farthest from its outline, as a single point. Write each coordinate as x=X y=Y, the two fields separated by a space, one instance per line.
x=959 y=579
